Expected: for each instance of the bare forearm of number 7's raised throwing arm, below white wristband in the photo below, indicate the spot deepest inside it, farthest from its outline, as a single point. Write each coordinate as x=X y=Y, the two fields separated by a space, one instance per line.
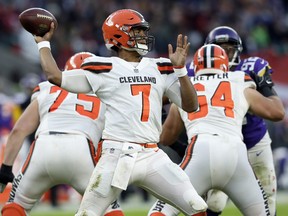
x=50 y=67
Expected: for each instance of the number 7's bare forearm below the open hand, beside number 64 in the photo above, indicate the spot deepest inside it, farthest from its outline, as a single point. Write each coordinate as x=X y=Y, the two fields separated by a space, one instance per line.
x=188 y=95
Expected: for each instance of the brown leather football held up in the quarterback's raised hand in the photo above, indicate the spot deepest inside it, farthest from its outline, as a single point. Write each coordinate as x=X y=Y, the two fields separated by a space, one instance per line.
x=37 y=21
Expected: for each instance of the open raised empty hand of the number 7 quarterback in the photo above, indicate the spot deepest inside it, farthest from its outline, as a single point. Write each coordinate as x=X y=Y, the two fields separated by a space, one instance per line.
x=178 y=58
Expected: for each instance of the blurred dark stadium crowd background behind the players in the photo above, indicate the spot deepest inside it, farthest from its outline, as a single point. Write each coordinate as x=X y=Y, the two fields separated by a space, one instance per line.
x=262 y=25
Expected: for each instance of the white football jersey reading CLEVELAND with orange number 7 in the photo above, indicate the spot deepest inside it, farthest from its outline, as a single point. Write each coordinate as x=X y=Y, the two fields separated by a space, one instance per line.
x=133 y=95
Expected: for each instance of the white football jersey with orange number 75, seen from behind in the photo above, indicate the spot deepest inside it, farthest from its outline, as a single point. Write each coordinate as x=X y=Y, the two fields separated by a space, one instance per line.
x=61 y=111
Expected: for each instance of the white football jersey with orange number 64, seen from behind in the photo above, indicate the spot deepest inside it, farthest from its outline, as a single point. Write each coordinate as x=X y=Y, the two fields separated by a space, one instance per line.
x=222 y=104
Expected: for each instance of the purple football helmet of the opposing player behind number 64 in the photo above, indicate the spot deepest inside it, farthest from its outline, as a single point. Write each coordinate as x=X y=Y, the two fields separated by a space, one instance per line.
x=225 y=34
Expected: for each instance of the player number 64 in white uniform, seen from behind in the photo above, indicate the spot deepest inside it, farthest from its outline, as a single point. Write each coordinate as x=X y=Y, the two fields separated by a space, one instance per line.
x=216 y=156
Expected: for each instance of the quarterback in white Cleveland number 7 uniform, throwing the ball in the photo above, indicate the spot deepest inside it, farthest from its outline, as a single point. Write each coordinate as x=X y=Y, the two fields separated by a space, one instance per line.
x=132 y=87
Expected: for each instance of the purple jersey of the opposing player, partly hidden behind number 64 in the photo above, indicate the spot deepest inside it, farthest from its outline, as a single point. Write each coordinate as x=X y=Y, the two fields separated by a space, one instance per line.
x=254 y=128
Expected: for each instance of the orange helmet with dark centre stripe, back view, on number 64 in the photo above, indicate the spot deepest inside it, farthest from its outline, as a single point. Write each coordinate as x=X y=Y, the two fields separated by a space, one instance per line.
x=210 y=59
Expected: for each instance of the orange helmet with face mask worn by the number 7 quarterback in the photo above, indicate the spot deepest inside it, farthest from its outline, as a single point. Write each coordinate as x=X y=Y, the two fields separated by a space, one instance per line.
x=118 y=31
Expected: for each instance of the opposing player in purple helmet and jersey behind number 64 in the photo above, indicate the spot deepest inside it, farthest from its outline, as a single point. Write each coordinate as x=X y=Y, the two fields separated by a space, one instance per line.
x=254 y=129
